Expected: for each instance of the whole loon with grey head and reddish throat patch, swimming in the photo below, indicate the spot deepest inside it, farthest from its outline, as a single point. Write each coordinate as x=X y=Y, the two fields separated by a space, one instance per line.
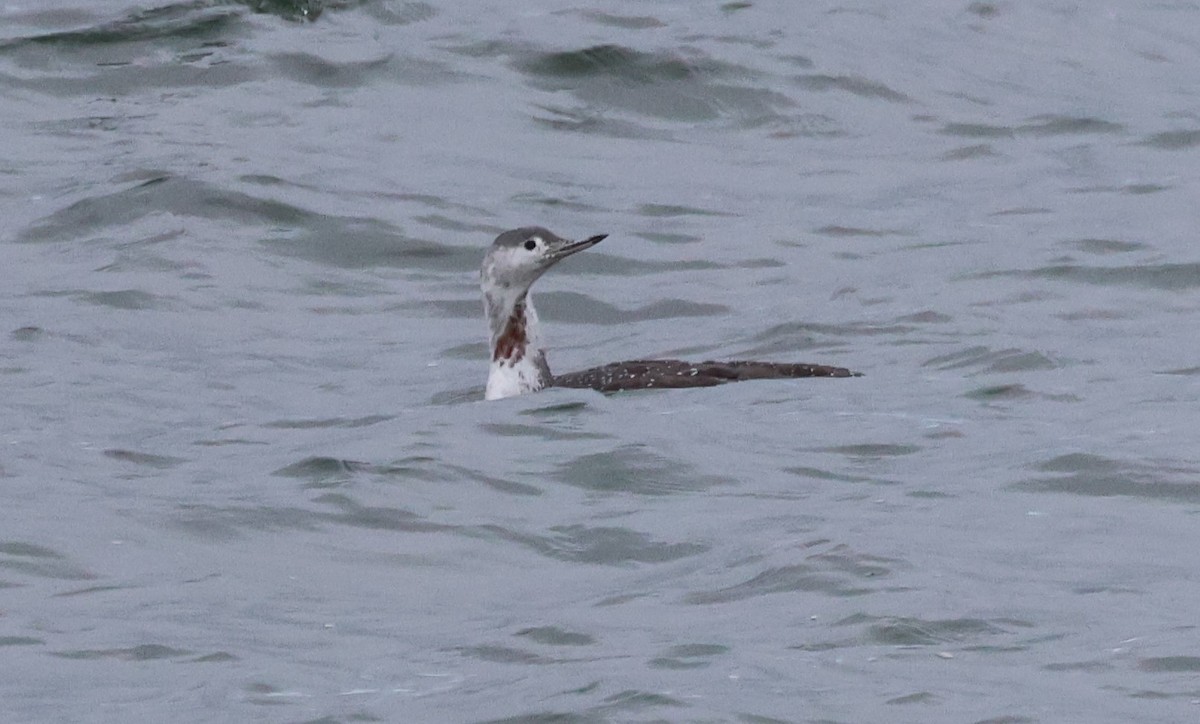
x=517 y=260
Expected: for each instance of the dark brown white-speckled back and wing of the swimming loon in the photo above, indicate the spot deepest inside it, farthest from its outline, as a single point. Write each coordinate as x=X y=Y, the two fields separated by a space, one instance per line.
x=659 y=374
